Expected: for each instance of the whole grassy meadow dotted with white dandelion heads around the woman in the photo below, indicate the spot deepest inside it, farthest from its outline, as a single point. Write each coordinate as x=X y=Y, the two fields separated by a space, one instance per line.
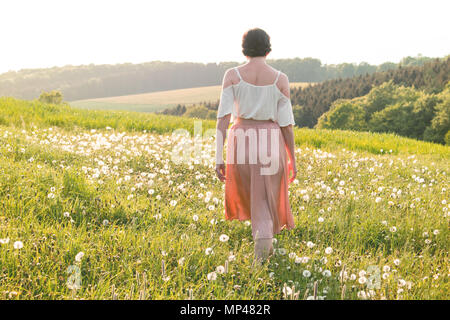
x=93 y=207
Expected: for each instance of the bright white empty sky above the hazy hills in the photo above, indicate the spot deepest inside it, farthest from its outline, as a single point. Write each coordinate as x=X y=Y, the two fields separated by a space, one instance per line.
x=48 y=33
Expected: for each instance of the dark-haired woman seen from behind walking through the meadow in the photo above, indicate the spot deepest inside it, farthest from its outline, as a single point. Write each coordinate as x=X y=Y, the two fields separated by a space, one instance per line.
x=257 y=99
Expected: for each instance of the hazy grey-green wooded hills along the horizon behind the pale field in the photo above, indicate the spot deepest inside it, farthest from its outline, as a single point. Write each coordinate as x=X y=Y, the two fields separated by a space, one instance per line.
x=96 y=81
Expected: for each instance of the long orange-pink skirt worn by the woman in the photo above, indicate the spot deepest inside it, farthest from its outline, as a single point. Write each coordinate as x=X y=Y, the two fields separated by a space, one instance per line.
x=257 y=177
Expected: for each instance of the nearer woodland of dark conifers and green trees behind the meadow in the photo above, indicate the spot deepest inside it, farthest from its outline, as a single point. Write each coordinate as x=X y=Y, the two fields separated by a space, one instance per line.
x=411 y=101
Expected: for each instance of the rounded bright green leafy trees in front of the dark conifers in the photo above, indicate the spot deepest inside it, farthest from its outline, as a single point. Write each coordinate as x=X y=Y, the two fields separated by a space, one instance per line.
x=393 y=108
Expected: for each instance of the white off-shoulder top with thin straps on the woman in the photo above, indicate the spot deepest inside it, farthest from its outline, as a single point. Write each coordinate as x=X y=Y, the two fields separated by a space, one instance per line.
x=248 y=101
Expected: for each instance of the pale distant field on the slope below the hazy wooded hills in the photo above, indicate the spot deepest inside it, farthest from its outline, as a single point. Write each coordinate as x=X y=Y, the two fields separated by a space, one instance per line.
x=155 y=101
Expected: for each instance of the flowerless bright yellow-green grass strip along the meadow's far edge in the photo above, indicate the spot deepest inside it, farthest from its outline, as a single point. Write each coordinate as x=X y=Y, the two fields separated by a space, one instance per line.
x=22 y=113
